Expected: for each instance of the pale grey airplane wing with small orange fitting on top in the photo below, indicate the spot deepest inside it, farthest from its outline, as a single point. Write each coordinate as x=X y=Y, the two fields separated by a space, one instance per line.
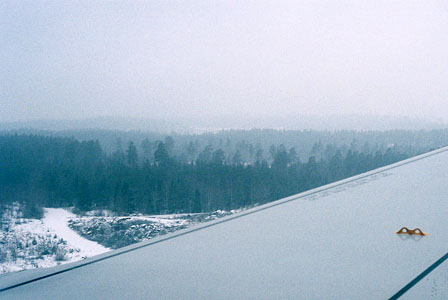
x=334 y=242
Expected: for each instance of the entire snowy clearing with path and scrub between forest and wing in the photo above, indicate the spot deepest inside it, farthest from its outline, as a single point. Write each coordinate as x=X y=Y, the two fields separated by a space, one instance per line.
x=62 y=237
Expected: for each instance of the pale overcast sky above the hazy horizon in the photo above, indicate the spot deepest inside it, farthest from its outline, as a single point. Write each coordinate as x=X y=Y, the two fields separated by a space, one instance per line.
x=158 y=59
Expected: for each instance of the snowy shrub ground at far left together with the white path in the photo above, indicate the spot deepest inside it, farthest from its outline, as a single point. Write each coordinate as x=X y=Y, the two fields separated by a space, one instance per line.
x=29 y=243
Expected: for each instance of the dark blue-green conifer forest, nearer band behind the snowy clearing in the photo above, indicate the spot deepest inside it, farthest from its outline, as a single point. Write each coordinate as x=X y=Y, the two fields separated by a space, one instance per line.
x=55 y=171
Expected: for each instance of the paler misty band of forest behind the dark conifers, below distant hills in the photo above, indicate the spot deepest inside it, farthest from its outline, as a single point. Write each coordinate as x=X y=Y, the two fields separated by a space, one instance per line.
x=256 y=144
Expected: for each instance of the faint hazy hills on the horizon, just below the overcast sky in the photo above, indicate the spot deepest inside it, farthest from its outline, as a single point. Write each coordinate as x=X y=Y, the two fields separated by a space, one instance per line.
x=209 y=123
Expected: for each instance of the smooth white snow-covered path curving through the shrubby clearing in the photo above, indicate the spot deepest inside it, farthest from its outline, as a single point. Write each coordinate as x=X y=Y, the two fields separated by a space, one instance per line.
x=56 y=220
